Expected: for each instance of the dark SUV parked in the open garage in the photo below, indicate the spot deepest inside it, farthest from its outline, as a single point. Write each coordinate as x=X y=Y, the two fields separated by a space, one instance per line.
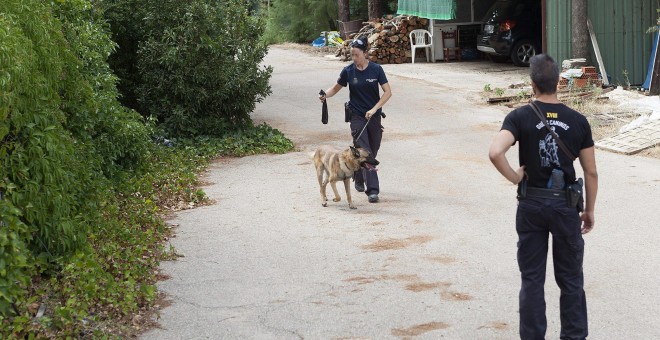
x=512 y=29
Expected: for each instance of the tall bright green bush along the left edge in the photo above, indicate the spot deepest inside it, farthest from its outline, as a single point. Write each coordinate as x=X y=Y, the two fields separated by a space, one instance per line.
x=63 y=136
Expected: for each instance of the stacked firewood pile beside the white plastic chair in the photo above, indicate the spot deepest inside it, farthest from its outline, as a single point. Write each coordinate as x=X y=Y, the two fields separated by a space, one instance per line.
x=389 y=39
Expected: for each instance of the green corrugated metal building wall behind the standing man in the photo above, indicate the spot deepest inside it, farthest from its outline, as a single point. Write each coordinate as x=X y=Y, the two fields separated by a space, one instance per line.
x=620 y=28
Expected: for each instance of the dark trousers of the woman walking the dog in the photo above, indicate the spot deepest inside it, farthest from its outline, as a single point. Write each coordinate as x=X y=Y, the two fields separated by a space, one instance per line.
x=369 y=140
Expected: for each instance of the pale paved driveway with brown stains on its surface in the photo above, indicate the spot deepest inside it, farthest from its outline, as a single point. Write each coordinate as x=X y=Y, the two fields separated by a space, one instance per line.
x=434 y=259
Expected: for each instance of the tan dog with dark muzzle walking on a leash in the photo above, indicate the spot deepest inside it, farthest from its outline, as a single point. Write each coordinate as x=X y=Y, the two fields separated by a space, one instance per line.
x=333 y=165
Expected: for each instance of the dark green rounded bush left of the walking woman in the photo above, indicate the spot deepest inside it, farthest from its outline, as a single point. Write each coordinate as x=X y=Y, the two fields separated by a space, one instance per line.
x=197 y=62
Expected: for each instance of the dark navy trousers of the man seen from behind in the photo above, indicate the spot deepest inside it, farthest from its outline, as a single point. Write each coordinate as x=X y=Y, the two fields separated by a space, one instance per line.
x=535 y=219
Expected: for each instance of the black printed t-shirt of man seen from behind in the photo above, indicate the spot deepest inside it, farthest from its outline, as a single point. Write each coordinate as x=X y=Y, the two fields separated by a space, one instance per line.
x=539 y=152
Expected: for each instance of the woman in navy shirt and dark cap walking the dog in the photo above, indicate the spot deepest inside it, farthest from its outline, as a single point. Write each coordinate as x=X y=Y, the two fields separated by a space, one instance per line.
x=363 y=78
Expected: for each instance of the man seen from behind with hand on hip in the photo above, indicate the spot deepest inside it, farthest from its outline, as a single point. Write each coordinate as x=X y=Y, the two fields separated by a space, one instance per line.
x=545 y=172
